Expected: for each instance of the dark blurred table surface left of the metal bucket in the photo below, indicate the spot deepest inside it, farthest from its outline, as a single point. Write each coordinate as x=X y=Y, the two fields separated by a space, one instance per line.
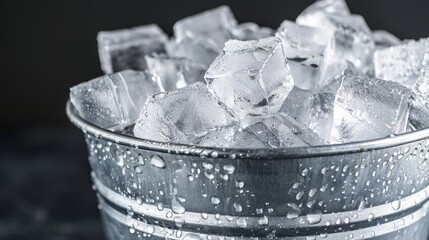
x=45 y=186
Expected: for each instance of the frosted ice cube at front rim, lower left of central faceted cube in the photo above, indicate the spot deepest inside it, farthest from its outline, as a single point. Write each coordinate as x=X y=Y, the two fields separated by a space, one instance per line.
x=181 y=115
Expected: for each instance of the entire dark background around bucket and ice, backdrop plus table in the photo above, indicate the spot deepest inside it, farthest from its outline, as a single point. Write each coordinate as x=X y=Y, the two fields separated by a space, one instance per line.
x=48 y=46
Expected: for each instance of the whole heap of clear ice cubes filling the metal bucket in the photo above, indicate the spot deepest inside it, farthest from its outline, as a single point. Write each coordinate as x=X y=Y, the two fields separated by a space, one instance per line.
x=324 y=79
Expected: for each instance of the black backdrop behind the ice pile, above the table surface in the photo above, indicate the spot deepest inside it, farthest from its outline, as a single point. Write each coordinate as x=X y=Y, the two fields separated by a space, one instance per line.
x=47 y=46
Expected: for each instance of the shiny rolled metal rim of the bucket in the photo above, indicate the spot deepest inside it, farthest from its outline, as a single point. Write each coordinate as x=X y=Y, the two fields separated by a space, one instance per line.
x=244 y=153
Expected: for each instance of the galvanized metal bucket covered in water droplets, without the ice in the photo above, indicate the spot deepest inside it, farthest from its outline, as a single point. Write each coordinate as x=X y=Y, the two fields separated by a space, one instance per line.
x=367 y=190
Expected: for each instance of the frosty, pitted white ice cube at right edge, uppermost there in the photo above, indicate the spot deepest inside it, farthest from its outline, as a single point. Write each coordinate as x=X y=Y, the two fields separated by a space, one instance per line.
x=402 y=63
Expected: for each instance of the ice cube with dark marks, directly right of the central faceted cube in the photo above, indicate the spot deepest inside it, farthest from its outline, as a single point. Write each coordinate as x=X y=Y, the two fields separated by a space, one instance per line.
x=303 y=47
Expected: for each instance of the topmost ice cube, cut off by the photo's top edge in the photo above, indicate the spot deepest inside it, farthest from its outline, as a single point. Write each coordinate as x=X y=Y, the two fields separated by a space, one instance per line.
x=315 y=14
